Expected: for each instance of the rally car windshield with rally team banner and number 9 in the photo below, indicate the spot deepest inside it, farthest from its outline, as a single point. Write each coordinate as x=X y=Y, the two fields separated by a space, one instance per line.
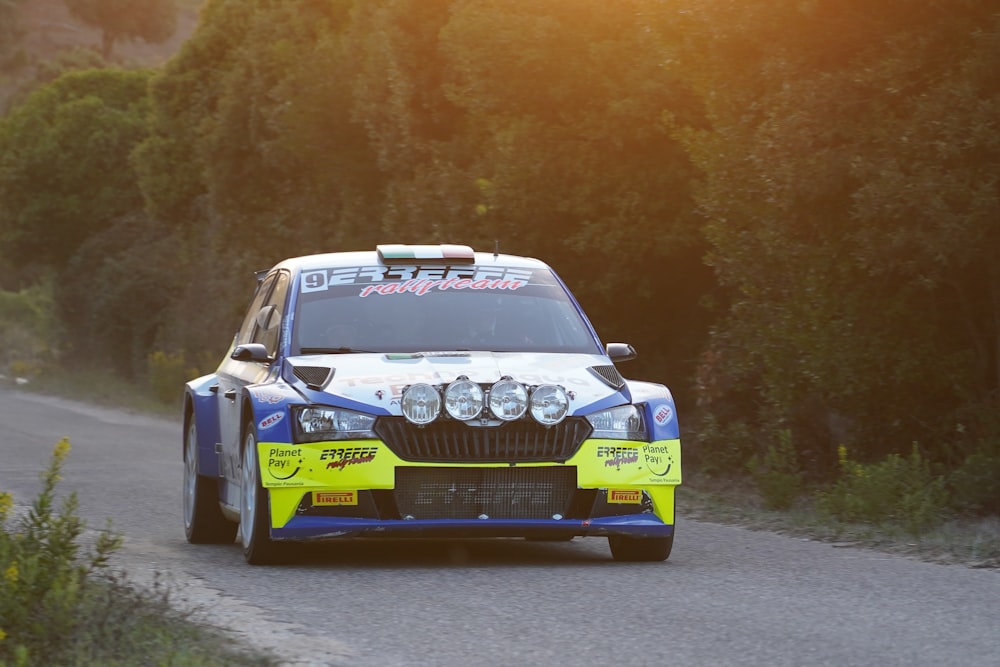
x=351 y=310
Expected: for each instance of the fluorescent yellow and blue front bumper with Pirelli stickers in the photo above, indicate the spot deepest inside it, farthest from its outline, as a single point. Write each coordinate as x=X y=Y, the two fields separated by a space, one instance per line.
x=333 y=490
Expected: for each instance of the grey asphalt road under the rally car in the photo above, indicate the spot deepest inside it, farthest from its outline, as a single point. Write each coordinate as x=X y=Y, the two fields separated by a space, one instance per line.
x=727 y=596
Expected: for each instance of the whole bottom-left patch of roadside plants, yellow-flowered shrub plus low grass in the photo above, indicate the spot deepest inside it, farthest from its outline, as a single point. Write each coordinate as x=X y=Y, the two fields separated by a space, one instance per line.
x=59 y=606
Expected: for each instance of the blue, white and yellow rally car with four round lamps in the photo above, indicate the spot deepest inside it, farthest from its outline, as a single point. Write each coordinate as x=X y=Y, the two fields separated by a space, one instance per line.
x=425 y=391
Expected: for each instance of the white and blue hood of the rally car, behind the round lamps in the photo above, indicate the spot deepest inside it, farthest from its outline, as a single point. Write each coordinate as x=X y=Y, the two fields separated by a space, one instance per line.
x=378 y=380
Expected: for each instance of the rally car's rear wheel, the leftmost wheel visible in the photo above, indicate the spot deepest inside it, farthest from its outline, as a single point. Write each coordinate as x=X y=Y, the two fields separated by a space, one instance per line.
x=204 y=522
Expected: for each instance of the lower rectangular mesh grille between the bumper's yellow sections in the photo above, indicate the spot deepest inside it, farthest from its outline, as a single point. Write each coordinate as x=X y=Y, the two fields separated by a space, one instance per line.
x=484 y=493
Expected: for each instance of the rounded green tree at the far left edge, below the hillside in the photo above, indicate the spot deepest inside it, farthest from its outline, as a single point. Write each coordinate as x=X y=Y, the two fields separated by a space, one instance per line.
x=65 y=173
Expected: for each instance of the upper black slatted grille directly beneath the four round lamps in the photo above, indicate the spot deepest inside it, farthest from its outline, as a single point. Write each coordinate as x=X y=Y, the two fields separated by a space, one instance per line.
x=447 y=441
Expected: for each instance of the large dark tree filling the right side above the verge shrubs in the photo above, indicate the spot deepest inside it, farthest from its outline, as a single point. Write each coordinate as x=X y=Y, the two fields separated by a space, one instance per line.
x=850 y=171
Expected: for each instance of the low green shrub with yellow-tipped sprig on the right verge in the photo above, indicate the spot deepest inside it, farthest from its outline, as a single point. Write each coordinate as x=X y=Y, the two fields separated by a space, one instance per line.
x=898 y=490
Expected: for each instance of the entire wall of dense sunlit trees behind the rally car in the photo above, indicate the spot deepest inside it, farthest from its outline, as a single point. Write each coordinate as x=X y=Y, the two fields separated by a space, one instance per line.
x=791 y=208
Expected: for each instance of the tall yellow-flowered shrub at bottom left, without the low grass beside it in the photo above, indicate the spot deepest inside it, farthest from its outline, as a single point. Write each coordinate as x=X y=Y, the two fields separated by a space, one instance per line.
x=44 y=577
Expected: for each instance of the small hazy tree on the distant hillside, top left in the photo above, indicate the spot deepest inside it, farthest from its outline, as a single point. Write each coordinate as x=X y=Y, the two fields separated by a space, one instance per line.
x=152 y=21
